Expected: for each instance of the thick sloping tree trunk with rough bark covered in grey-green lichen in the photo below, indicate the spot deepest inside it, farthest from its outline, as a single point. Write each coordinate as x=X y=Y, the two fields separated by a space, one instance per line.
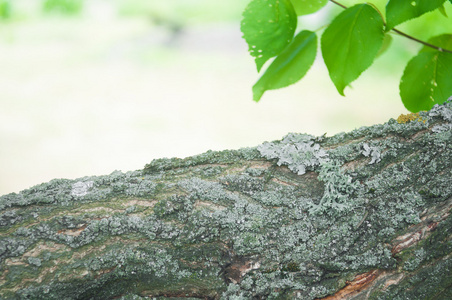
x=362 y=215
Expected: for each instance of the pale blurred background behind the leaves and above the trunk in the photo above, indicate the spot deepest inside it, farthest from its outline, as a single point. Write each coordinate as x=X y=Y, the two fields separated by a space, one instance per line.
x=88 y=87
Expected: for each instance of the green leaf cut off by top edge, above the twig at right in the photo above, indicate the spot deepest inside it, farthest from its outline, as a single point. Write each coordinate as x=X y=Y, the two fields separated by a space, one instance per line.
x=399 y=11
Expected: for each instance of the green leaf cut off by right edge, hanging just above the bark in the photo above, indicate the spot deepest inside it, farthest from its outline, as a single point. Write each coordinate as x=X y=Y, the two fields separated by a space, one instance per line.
x=427 y=79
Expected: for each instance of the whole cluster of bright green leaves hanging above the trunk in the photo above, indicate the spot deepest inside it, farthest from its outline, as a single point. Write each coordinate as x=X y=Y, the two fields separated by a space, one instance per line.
x=349 y=46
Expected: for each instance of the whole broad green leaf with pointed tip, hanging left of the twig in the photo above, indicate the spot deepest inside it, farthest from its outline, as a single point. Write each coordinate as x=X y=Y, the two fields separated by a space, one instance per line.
x=351 y=43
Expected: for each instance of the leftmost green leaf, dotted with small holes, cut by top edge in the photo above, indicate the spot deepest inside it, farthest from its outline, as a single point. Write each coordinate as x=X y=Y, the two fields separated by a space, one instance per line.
x=268 y=27
